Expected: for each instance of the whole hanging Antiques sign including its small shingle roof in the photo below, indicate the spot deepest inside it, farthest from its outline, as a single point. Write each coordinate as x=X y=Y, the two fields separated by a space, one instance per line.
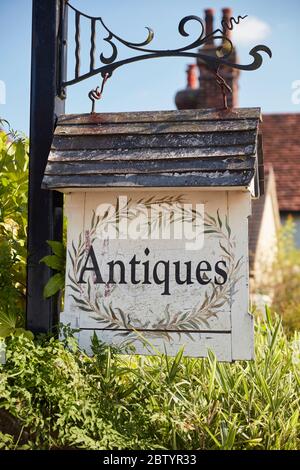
x=158 y=206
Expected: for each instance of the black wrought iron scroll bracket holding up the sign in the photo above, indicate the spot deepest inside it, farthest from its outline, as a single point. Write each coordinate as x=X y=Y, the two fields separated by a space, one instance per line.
x=106 y=65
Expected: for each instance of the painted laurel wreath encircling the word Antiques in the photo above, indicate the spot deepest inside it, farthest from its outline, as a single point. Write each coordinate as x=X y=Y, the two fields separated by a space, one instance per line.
x=96 y=304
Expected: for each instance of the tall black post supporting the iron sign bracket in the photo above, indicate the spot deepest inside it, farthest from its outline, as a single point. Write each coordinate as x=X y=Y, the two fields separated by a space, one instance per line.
x=45 y=208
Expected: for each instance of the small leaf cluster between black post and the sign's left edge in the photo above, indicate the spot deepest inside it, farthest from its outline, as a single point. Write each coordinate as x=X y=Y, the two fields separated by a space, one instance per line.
x=57 y=262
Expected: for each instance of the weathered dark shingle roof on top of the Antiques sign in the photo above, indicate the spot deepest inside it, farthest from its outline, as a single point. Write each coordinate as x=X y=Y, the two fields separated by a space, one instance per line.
x=199 y=148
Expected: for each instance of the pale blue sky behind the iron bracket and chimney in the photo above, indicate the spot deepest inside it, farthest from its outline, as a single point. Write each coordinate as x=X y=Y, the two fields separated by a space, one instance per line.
x=151 y=85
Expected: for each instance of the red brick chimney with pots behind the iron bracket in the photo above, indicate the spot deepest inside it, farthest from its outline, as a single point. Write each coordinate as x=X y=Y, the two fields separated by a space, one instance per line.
x=208 y=94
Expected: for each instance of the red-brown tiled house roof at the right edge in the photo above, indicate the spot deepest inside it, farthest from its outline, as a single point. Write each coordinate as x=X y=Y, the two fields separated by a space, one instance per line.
x=281 y=141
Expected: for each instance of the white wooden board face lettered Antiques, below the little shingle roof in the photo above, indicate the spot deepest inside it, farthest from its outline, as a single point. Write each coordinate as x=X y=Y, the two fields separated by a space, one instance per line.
x=135 y=277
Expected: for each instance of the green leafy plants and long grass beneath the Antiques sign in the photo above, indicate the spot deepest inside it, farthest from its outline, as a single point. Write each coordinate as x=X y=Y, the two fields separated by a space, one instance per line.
x=65 y=399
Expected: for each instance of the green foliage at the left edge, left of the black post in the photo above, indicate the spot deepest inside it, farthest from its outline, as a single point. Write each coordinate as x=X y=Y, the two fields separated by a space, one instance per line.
x=13 y=223
